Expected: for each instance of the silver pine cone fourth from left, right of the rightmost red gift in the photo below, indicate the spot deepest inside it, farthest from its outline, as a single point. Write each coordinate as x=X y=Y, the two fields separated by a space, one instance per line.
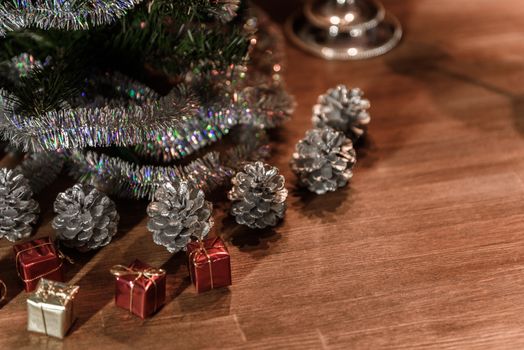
x=258 y=196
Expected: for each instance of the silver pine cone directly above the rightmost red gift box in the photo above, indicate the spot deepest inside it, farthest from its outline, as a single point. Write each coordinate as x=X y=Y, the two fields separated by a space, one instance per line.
x=178 y=213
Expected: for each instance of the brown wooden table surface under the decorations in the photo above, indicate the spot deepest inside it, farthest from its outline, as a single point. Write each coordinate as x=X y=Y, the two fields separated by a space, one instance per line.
x=423 y=250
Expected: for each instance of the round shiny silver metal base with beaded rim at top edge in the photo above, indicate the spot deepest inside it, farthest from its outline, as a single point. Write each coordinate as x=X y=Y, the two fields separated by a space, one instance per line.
x=344 y=29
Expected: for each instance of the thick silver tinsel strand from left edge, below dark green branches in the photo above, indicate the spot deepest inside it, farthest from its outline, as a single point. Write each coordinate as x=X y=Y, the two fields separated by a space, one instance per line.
x=125 y=124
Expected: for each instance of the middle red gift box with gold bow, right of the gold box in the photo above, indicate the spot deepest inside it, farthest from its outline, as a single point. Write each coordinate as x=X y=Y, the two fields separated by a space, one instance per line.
x=140 y=288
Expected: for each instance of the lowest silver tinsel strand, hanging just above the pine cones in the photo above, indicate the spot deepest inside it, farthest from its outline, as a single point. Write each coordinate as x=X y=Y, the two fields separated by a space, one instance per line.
x=129 y=180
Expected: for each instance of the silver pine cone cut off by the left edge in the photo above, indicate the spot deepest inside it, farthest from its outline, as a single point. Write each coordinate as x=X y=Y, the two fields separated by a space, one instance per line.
x=18 y=210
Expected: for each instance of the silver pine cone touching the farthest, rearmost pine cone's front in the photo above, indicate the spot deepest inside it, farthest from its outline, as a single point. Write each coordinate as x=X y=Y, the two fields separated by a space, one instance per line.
x=323 y=160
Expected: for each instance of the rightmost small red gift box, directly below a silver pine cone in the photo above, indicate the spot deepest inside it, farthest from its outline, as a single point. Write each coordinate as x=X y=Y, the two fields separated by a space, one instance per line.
x=209 y=264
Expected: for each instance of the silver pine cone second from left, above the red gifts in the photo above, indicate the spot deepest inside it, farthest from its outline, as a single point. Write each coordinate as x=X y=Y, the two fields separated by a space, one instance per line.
x=86 y=218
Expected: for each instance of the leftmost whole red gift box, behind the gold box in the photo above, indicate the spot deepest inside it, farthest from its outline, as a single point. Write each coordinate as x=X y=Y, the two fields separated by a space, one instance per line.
x=37 y=259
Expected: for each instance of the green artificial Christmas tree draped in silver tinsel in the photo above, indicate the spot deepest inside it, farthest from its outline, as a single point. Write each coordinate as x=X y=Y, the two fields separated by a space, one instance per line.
x=126 y=91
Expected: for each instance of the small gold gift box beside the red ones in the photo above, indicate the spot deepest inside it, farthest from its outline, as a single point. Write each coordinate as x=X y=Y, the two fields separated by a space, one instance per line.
x=50 y=308
